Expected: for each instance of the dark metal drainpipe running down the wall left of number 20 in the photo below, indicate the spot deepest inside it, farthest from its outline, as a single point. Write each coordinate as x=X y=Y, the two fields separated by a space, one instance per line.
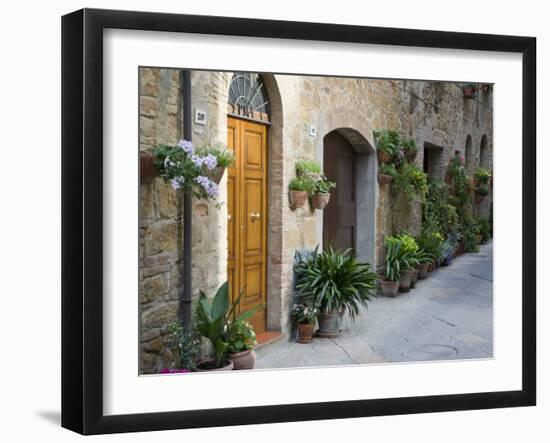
x=185 y=306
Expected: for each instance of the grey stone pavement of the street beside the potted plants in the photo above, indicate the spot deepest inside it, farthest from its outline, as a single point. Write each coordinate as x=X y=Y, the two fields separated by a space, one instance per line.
x=449 y=315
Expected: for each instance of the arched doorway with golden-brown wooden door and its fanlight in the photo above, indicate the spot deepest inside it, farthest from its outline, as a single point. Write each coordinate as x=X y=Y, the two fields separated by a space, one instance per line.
x=247 y=195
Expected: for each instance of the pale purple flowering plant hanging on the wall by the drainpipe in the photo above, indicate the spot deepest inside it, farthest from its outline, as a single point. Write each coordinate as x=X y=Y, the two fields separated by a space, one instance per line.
x=189 y=169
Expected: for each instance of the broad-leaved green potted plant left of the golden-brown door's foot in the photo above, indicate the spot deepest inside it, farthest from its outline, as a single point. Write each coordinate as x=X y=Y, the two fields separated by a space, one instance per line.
x=213 y=322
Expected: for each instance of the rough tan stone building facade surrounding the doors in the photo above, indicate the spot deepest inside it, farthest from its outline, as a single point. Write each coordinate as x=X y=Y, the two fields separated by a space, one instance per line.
x=303 y=110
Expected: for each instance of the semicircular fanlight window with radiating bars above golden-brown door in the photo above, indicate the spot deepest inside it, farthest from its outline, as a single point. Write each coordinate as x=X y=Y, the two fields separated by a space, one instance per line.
x=248 y=97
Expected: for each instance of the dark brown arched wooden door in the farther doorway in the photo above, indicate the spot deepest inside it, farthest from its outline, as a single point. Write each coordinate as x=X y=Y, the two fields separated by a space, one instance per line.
x=339 y=217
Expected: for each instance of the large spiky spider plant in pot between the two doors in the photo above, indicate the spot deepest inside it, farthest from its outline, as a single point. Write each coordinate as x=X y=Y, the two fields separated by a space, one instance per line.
x=335 y=282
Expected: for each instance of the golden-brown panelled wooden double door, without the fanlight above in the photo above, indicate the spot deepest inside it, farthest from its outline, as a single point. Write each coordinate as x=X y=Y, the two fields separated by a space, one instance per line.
x=247 y=217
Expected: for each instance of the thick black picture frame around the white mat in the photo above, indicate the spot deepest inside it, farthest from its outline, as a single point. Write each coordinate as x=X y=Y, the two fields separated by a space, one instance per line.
x=82 y=215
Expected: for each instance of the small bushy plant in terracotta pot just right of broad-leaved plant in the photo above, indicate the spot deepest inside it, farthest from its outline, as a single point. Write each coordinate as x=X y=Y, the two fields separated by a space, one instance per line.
x=241 y=339
